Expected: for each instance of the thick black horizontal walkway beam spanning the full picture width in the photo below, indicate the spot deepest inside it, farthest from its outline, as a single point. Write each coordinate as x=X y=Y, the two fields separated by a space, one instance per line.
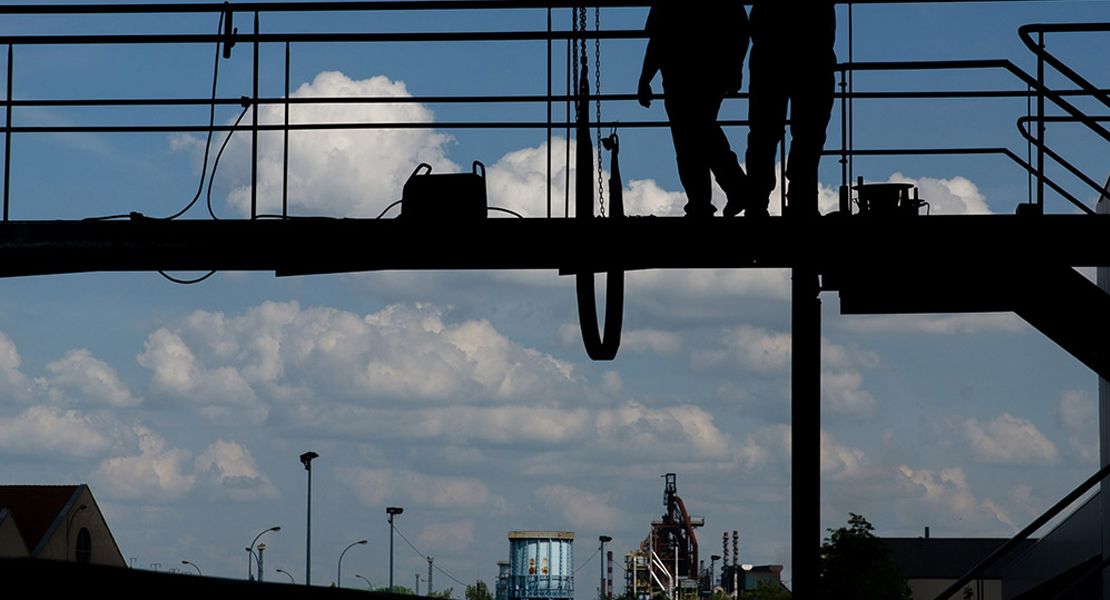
x=325 y=246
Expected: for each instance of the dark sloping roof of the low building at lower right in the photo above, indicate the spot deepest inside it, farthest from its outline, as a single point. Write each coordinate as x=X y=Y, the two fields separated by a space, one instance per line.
x=948 y=558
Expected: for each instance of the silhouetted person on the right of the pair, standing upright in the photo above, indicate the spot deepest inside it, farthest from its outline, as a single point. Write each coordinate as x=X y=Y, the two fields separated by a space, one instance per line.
x=793 y=62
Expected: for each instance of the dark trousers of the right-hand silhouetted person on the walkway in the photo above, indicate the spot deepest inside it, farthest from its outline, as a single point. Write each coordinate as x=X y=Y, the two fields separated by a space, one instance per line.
x=808 y=86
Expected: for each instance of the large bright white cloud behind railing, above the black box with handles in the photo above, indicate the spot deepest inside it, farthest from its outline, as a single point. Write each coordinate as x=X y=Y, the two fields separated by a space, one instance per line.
x=349 y=172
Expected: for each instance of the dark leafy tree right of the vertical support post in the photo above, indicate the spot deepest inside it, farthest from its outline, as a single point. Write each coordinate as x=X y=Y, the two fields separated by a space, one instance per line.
x=855 y=564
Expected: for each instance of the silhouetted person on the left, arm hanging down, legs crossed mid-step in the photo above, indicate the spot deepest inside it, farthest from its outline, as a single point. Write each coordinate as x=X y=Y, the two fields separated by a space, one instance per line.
x=700 y=48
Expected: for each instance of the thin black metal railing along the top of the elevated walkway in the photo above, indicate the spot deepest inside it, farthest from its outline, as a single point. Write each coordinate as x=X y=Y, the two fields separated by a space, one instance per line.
x=230 y=38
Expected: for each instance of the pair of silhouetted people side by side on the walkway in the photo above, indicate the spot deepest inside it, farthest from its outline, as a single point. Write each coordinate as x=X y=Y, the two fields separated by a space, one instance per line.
x=700 y=48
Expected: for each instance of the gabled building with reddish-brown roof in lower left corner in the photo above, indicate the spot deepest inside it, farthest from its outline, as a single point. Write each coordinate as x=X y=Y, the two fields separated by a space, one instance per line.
x=56 y=523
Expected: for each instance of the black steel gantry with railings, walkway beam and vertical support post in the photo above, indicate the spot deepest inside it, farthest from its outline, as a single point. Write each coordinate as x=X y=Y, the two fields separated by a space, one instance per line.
x=1003 y=273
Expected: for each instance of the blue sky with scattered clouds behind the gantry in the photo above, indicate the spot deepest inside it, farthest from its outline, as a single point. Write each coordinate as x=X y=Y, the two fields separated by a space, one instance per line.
x=467 y=398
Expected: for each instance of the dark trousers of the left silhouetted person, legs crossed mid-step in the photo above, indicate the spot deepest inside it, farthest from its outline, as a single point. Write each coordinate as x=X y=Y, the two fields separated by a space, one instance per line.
x=701 y=147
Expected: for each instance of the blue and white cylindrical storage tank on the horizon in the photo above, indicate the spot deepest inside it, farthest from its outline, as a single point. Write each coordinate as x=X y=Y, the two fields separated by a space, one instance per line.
x=541 y=565
